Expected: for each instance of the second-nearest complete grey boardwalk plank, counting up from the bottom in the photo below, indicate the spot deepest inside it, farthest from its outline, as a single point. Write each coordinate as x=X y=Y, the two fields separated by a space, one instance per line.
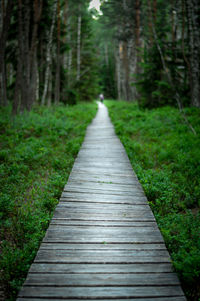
x=144 y=279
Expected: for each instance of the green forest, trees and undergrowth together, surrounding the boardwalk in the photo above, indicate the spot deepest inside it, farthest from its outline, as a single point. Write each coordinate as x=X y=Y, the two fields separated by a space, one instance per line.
x=56 y=56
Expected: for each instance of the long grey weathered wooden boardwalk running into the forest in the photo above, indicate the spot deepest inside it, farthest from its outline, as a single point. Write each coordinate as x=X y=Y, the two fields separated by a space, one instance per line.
x=103 y=242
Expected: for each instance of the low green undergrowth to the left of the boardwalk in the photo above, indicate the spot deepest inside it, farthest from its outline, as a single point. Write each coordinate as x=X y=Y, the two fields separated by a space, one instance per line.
x=37 y=152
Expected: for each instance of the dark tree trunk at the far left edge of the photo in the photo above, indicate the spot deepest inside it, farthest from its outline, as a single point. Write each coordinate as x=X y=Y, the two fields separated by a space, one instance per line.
x=6 y=17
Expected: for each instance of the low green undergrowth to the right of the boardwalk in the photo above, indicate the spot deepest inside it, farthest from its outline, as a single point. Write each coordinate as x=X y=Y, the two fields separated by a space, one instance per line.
x=165 y=155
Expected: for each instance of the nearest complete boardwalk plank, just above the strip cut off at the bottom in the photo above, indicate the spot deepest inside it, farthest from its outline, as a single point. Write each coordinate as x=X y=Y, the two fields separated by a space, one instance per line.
x=100 y=292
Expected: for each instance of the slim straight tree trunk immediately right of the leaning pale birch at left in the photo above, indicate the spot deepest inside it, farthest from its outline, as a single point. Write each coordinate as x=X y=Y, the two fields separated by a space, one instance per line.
x=57 y=83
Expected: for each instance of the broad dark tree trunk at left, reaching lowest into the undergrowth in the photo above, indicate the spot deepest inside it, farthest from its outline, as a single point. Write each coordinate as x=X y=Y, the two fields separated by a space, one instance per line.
x=26 y=83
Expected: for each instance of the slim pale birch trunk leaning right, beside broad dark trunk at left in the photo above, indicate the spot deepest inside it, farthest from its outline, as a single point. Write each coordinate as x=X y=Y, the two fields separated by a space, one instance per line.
x=48 y=55
